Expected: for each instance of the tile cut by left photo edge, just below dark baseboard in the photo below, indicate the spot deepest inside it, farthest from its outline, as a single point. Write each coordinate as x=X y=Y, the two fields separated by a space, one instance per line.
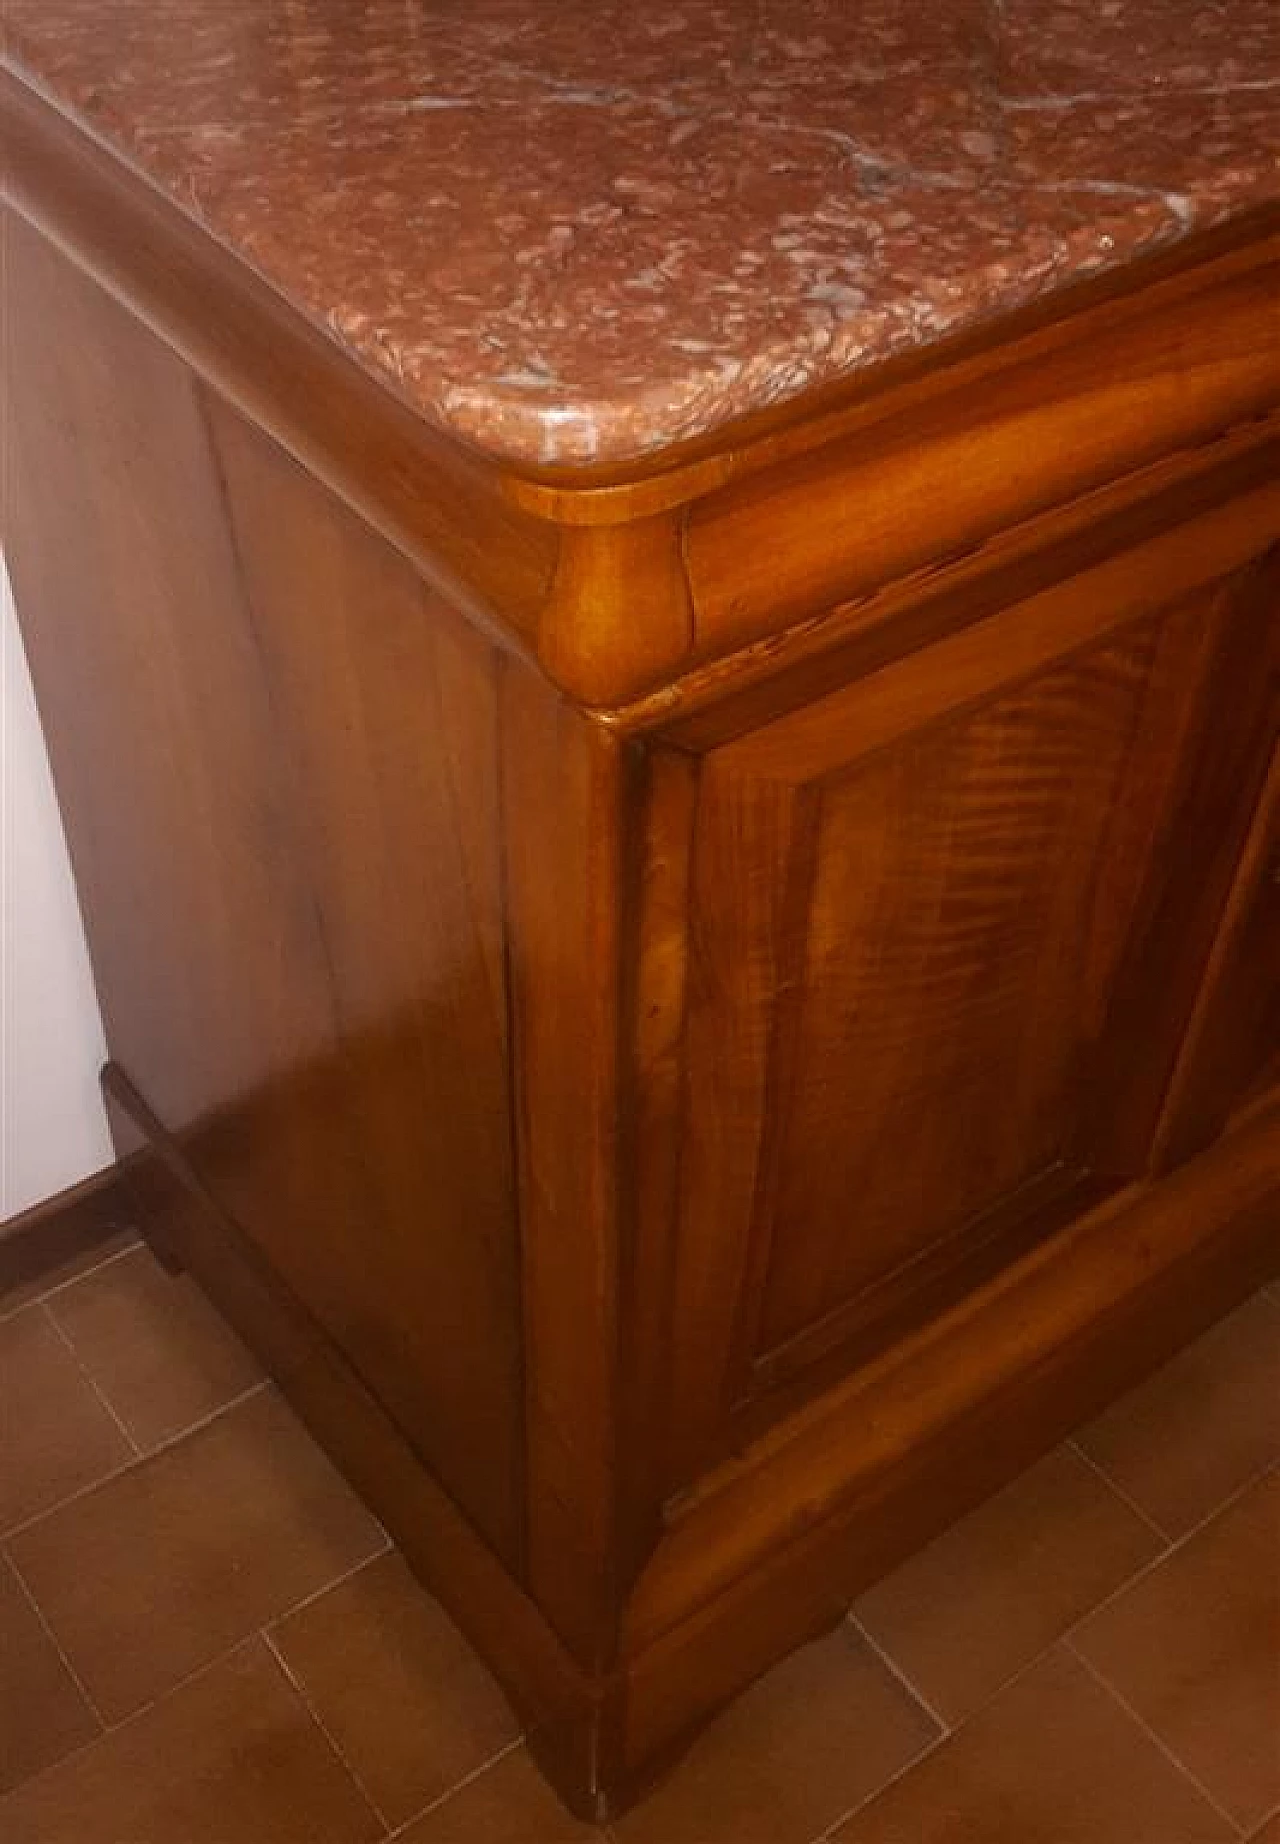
x=56 y=1437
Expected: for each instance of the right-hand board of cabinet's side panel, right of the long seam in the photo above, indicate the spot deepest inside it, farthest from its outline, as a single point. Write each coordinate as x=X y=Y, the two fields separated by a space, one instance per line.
x=390 y=753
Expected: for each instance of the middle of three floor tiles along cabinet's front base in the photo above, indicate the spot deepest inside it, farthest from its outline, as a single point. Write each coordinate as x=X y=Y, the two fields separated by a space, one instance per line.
x=1001 y=1587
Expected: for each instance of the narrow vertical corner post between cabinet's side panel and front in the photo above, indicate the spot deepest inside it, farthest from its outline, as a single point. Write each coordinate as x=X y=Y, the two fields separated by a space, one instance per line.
x=563 y=785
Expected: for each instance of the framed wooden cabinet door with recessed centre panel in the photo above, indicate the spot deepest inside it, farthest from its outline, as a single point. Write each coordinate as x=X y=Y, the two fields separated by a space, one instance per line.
x=947 y=928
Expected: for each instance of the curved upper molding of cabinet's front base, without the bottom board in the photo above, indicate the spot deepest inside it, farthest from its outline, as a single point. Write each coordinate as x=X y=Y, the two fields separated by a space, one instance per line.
x=1045 y=1323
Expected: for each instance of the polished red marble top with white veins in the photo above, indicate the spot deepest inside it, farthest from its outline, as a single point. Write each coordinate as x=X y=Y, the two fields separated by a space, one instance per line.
x=578 y=231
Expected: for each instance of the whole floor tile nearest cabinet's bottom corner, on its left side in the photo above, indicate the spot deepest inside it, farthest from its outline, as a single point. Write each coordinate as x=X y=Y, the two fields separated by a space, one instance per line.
x=397 y=1686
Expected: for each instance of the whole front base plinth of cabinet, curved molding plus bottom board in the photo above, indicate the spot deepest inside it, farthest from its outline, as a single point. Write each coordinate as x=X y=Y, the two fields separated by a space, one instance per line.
x=918 y=1437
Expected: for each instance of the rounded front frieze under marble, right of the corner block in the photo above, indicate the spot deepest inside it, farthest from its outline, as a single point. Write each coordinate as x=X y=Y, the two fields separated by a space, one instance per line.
x=945 y=479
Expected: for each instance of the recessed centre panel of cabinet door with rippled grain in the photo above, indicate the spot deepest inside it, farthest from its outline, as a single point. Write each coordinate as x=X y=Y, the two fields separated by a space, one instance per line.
x=954 y=956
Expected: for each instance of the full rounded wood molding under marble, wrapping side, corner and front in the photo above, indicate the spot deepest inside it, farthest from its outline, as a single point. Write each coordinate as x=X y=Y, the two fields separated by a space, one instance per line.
x=1146 y=372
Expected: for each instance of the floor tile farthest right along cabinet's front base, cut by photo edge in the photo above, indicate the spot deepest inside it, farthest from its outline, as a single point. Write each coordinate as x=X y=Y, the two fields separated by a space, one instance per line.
x=1203 y=1426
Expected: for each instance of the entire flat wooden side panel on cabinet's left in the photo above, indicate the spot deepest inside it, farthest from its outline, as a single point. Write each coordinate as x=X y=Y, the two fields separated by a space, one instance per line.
x=276 y=753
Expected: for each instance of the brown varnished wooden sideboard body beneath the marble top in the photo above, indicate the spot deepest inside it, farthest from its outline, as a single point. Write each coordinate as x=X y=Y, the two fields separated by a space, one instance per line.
x=704 y=1017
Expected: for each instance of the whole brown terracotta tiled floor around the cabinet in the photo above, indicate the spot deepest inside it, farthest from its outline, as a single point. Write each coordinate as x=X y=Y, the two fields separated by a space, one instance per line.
x=206 y=1638
